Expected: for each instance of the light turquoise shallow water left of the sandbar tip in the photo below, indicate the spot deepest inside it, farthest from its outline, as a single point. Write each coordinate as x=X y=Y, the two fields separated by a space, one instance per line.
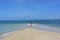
x=11 y=27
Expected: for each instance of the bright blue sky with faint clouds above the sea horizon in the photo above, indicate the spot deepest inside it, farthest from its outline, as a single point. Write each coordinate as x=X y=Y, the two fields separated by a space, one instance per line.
x=29 y=9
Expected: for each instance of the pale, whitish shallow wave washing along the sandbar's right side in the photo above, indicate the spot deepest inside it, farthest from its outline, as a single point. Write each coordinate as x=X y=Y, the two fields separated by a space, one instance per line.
x=46 y=28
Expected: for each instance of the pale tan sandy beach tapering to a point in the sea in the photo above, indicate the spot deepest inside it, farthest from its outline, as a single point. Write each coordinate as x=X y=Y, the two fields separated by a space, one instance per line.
x=33 y=34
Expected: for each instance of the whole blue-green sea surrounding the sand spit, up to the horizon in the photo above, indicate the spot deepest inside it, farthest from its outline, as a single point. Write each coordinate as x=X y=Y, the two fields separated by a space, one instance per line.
x=10 y=26
